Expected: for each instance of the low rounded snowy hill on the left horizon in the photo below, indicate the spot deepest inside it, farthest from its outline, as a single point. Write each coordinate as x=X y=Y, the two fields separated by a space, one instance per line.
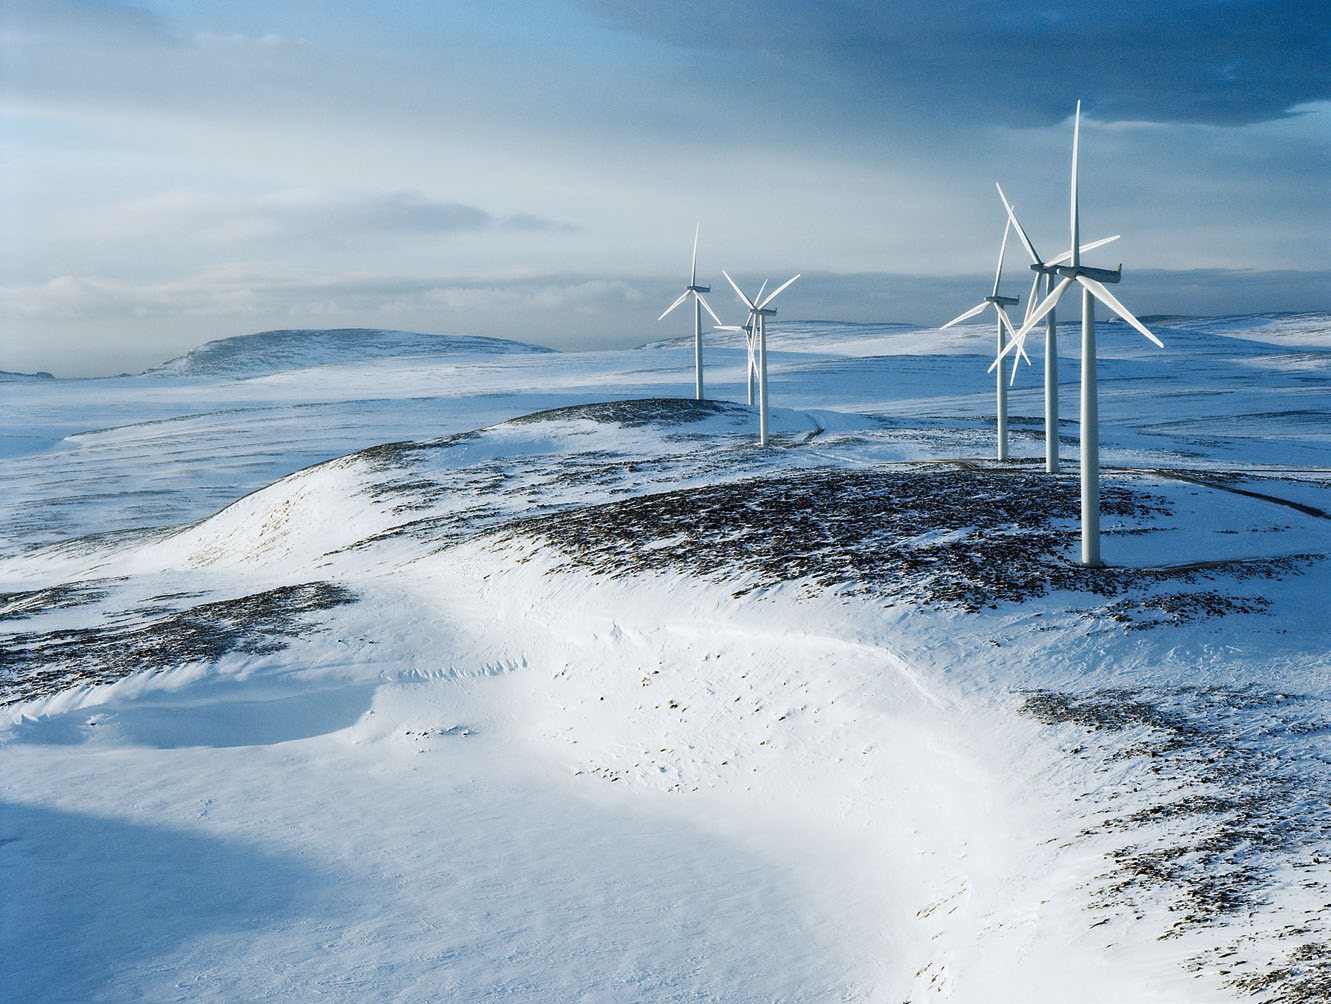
x=274 y=352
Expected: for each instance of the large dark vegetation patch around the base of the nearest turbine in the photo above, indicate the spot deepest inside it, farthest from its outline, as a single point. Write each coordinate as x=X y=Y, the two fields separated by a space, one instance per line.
x=963 y=537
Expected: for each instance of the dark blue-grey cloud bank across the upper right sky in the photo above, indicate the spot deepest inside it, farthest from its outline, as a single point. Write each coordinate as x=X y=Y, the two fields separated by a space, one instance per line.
x=1216 y=62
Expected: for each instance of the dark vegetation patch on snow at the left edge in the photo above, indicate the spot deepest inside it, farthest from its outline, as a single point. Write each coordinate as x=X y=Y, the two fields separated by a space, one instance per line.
x=37 y=665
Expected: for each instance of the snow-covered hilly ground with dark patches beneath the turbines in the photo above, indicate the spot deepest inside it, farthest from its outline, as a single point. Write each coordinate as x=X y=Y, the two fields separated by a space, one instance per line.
x=376 y=666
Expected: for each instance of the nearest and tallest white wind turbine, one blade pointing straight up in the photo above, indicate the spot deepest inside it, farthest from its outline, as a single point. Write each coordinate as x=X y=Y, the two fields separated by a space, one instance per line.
x=1092 y=283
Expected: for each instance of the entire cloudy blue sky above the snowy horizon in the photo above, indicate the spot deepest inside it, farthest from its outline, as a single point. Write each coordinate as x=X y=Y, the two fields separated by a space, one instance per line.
x=182 y=171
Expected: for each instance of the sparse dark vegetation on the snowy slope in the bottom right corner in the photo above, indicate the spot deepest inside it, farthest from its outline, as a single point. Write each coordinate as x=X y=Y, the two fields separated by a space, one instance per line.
x=1228 y=792
